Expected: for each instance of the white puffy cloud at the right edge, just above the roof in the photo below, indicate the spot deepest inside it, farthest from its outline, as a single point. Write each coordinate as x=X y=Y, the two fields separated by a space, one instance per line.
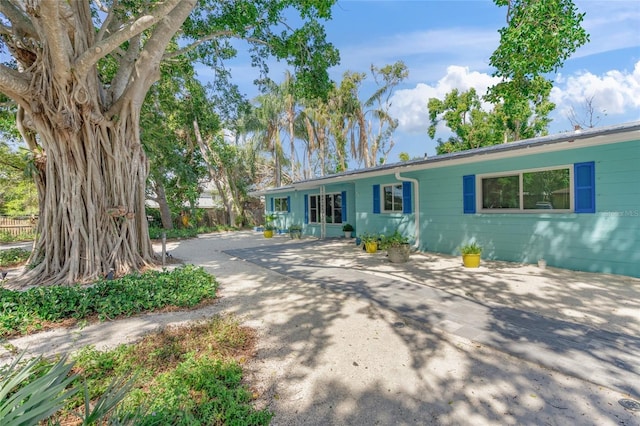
x=614 y=92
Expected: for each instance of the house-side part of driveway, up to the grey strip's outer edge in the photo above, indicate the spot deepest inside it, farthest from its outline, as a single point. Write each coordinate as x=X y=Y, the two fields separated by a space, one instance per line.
x=585 y=325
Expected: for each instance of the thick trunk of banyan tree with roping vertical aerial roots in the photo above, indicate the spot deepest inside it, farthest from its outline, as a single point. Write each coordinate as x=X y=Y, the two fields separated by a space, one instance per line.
x=92 y=195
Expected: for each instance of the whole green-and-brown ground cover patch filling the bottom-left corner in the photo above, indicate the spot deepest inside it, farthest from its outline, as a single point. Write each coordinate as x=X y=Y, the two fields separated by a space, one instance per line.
x=184 y=375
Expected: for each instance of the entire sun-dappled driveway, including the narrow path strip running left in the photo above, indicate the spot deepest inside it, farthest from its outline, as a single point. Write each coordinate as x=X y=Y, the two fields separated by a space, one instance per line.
x=347 y=338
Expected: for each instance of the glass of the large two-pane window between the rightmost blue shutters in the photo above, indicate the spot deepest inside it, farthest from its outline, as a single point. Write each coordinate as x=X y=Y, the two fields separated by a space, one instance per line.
x=548 y=189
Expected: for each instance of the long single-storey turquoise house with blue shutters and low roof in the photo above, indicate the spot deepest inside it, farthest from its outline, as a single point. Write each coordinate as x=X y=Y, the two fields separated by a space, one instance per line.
x=572 y=199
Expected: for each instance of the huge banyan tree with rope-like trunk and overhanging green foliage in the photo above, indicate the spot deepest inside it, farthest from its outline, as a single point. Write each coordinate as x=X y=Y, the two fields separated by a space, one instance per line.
x=79 y=75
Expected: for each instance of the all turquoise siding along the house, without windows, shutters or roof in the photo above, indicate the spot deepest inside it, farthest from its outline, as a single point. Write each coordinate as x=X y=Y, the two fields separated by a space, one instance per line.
x=605 y=241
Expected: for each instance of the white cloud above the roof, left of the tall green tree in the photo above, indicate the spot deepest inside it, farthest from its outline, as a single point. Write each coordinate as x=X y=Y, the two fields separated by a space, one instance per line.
x=409 y=106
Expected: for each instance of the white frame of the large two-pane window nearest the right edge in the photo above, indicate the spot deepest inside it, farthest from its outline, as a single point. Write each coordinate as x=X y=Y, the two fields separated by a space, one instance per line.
x=520 y=173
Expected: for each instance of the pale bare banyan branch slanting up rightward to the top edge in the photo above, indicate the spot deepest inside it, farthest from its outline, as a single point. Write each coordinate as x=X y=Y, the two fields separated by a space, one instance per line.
x=103 y=47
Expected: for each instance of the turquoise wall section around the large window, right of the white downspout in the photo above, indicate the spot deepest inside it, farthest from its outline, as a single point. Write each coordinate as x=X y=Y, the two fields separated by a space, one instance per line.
x=605 y=241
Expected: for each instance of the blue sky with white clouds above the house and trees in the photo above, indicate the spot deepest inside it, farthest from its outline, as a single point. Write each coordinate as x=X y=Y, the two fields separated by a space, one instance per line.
x=447 y=44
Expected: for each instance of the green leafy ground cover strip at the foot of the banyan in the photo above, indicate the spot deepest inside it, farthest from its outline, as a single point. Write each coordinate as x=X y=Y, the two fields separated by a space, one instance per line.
x=22 y=312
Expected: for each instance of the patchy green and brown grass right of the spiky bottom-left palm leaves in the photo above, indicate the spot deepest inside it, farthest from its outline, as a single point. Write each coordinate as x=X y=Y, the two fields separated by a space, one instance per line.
x=184 y=375
